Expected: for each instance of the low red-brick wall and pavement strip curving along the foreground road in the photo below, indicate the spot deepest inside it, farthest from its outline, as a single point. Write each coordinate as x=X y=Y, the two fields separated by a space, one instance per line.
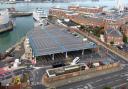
x=80 y=75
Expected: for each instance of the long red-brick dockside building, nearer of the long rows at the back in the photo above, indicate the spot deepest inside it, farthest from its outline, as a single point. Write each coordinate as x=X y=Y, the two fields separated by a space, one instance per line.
x=77 y=18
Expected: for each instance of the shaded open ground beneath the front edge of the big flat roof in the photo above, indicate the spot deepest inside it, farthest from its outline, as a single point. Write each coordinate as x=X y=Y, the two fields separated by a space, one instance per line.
x=89 y=56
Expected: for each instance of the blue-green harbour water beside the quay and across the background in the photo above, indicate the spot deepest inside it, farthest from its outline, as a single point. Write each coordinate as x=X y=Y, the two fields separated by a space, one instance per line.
x=25 y=24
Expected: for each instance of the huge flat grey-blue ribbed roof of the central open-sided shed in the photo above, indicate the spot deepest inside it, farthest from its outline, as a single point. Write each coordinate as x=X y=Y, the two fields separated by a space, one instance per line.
x=52 y=39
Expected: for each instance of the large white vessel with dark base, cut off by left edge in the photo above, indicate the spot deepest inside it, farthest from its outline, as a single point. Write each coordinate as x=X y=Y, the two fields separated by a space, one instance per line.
x=6 y=23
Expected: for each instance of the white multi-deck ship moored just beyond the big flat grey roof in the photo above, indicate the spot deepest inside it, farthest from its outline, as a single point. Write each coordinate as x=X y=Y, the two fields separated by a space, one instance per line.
x=39 y=14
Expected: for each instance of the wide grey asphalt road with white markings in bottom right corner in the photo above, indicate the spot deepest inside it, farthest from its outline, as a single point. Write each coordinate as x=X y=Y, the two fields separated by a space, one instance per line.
x=115 y=80
